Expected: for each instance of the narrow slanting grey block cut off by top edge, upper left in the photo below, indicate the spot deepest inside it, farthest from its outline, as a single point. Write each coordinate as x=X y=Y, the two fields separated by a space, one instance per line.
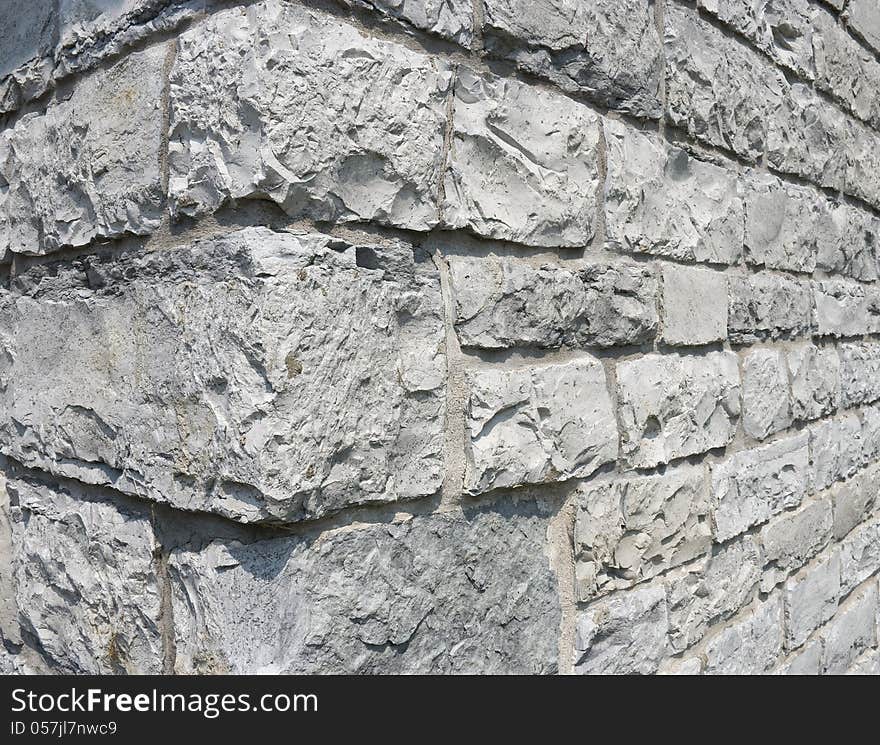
x=90 y=31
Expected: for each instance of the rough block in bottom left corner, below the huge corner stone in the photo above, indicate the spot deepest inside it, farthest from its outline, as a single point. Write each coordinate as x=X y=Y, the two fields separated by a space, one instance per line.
x=86 y=587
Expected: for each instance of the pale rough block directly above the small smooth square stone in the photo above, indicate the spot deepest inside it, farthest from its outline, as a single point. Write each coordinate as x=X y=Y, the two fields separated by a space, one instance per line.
x=662 y=201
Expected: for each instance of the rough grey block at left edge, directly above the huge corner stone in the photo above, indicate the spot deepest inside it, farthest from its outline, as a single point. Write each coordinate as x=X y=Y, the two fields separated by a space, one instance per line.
x=88 y=167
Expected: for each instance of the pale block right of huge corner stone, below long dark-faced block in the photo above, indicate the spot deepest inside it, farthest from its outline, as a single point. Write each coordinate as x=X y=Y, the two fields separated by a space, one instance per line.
x=538 y=424
